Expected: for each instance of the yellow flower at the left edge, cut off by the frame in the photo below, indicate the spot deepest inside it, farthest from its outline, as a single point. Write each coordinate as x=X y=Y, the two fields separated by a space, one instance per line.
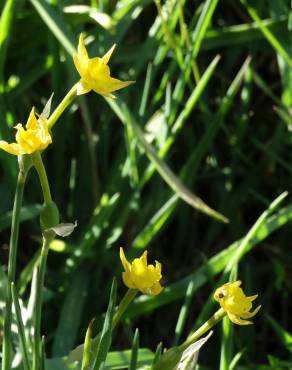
x=35 y=136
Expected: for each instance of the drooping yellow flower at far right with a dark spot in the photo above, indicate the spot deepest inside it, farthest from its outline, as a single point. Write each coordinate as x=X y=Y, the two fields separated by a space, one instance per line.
x=236 y=304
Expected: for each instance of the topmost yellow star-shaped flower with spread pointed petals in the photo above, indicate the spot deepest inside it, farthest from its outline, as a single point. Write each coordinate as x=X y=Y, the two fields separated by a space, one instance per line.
x=95 y=73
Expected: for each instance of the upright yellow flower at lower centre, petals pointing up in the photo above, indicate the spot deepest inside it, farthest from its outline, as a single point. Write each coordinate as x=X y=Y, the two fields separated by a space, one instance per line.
x=139 y=275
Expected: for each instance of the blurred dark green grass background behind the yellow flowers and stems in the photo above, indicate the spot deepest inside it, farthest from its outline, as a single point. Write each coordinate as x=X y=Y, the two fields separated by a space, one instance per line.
x=221 y=124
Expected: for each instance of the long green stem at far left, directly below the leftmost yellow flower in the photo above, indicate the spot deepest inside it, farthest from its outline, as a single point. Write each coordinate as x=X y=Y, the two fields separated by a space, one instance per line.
x=7 y=341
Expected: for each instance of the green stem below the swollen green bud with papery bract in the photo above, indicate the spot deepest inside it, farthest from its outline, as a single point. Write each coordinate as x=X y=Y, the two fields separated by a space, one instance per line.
x=37 y=341
